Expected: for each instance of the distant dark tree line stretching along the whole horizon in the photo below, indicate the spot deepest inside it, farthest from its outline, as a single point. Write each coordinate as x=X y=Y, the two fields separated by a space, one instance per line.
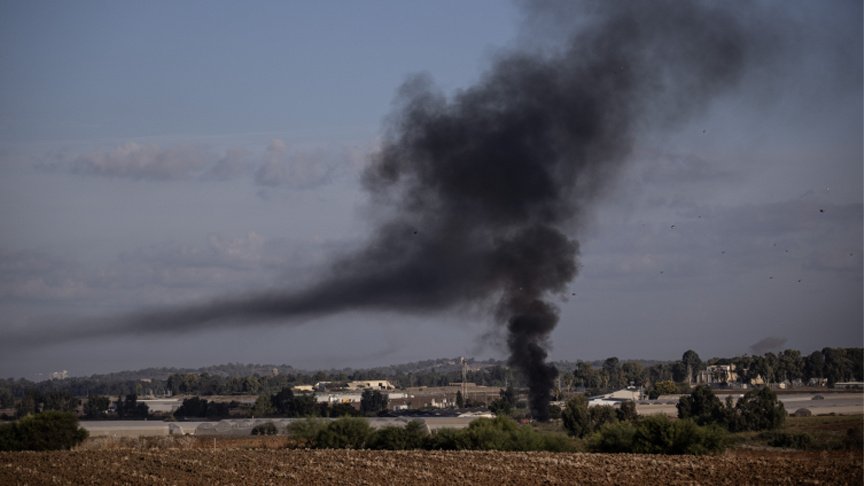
x=830 y=365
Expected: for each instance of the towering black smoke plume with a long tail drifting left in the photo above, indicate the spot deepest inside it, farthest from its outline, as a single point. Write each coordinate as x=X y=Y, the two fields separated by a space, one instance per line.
x=487 y=185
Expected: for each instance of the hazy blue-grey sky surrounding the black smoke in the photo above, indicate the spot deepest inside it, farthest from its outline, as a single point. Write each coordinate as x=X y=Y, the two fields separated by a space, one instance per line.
x=166 y=153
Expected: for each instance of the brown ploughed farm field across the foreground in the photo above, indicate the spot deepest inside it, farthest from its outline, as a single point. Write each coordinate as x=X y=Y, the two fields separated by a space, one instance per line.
x=232 y=462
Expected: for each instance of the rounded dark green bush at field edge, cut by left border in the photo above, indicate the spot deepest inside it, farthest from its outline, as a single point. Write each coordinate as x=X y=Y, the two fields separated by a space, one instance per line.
x=42 y=432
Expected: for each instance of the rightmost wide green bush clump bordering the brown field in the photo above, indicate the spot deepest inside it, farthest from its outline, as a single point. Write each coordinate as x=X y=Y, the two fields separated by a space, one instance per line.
x=659 y=435
